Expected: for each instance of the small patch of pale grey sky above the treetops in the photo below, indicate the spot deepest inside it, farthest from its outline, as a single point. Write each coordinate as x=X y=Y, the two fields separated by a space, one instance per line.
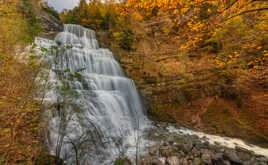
x=59 y=5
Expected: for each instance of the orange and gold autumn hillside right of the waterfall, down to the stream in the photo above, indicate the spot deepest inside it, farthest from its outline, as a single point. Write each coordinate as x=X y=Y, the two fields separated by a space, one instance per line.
x=190 y=53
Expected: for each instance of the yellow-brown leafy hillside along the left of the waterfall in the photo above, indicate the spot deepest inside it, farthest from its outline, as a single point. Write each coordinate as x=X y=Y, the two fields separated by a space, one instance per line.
x=22 y=126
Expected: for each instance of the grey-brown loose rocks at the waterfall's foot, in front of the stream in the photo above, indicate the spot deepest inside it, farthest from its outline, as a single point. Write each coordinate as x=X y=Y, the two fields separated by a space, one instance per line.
x=189 y=150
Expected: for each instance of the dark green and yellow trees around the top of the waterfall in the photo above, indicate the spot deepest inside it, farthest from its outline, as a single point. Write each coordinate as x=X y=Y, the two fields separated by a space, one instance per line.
x=102 y=17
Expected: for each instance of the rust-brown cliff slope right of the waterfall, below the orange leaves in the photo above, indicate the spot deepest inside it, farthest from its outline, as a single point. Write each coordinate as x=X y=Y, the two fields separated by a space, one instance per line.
x=192 y=92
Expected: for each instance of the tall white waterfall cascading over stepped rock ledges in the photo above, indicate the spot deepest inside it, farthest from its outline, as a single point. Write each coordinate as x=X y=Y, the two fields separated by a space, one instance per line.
x=95 y=112
